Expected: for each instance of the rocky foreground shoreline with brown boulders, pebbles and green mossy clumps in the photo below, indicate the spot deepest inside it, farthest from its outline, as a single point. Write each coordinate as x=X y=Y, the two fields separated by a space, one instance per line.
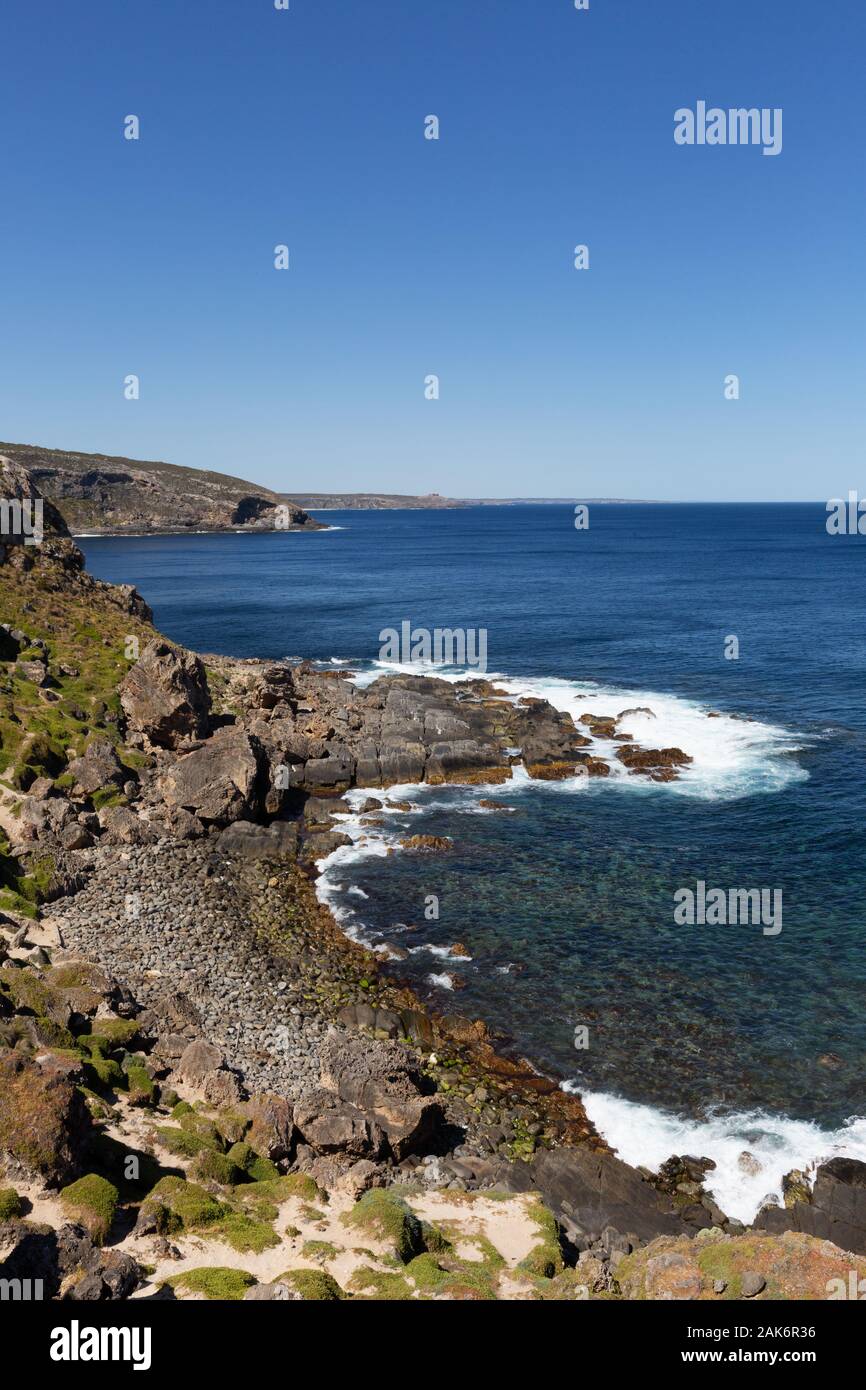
x=173 y=990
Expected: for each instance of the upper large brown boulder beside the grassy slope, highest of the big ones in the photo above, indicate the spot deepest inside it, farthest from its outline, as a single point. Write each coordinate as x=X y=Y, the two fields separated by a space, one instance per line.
x=166 y=697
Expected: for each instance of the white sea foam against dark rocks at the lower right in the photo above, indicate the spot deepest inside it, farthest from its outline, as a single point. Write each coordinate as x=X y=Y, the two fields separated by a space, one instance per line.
x=646 y=1136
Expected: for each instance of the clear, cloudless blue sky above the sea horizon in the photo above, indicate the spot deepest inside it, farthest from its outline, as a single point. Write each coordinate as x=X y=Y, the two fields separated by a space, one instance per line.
x=454 y=258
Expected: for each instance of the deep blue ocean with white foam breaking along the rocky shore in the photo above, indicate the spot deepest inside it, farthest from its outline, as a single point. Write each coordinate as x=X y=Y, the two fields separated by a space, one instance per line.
x=704 y=1039
